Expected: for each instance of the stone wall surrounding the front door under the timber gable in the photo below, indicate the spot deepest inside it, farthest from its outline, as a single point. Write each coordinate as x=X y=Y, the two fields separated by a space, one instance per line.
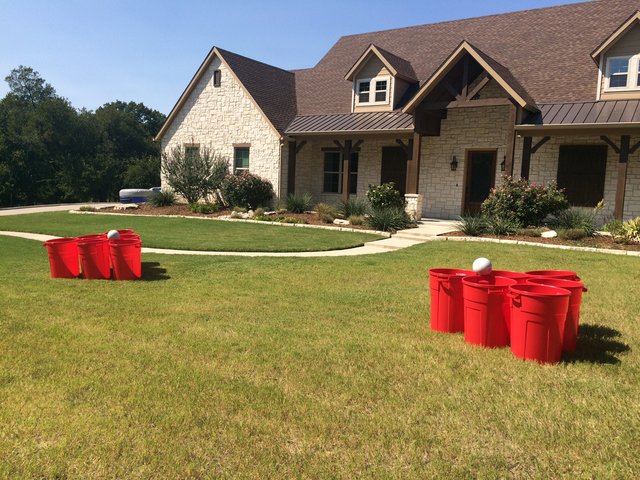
x=464 y=129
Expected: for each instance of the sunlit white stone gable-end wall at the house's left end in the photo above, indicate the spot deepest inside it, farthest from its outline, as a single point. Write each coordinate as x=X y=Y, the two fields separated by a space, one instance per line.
x=218 y=117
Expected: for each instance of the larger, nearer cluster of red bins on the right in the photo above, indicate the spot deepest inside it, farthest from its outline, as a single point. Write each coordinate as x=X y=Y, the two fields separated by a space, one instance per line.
x=536 y=312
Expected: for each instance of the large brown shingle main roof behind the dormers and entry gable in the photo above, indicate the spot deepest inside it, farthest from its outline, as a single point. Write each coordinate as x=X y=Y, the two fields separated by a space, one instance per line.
x=547 y=50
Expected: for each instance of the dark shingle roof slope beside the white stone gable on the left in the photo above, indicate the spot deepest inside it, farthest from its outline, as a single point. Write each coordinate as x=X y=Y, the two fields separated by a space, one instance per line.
x=272 y=88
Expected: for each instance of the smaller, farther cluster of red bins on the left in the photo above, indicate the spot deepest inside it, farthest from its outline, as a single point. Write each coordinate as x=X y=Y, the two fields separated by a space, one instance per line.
x=96 y=255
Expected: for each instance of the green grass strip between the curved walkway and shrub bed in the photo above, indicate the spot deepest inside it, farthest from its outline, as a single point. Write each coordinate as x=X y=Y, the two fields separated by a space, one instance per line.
x=191 y=234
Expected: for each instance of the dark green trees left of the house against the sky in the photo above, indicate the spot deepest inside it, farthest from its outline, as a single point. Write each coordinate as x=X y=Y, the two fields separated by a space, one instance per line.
x=51 y=152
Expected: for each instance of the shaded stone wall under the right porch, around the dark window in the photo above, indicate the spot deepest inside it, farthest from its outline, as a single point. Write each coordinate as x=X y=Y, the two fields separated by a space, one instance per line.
x=544 y=169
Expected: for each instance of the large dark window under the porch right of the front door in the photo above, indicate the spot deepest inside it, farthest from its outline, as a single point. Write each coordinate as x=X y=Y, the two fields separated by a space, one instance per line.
x=581 y=172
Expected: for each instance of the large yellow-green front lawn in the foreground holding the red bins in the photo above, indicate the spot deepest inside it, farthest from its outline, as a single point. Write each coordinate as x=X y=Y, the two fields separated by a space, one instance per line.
x=305 y=368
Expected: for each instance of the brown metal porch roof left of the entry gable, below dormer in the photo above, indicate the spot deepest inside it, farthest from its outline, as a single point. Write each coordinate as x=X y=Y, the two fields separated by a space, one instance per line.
x=349 y=122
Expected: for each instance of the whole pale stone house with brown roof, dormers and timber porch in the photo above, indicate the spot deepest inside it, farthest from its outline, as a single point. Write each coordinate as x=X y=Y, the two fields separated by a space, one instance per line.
x=442 y=110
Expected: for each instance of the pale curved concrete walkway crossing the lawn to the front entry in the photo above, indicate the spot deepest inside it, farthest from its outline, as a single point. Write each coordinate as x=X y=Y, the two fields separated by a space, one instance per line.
x=404 y=238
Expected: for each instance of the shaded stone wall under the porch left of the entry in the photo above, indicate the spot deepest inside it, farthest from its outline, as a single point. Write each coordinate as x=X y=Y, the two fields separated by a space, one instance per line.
x=310 y=167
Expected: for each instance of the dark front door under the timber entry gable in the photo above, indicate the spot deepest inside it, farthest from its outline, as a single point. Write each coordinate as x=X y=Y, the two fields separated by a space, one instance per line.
x=479 y=179
